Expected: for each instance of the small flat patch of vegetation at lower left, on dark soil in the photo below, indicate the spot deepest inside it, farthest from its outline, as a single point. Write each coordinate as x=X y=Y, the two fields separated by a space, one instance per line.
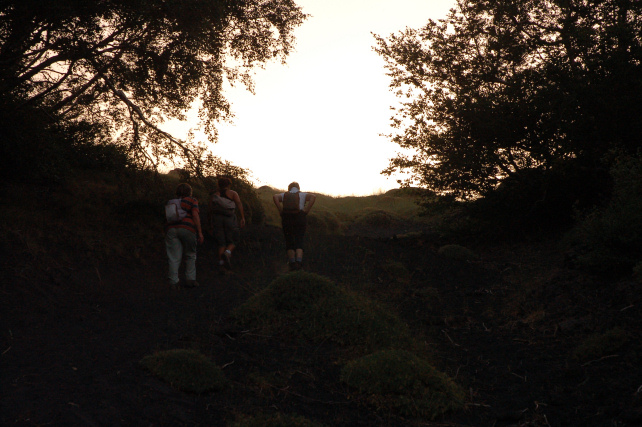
x=187 y=370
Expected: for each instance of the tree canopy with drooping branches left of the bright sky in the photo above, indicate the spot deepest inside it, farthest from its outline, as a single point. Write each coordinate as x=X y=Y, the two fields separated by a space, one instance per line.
x=122 y=67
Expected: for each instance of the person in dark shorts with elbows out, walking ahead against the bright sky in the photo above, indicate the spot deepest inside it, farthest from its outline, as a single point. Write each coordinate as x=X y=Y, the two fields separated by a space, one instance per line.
x=294 y=207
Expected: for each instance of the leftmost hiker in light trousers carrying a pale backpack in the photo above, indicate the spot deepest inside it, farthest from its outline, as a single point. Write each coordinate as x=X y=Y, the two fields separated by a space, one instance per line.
x=181 y=238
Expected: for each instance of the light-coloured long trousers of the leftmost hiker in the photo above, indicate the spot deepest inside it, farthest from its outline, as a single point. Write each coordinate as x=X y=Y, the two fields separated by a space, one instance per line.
x=180 y=242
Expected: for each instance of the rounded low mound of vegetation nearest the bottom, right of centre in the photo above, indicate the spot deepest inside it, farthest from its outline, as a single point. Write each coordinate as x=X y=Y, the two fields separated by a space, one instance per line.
x=401 y=381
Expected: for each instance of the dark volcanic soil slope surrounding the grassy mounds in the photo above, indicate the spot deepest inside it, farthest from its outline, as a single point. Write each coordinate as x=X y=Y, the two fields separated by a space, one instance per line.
x=504 y=327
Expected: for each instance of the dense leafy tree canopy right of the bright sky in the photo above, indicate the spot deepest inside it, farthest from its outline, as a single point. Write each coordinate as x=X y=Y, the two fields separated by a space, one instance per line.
x=503 y=86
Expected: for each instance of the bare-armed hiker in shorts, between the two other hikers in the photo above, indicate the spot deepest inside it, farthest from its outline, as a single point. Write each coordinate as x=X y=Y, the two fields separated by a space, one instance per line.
x=223 y=207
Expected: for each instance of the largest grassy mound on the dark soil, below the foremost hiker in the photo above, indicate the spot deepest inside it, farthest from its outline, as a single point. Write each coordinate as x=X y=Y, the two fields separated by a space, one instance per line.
x=307 y=306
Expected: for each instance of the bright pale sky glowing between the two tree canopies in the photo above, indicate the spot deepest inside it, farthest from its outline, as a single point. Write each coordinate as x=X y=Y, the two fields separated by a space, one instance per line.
x=318 y=119
